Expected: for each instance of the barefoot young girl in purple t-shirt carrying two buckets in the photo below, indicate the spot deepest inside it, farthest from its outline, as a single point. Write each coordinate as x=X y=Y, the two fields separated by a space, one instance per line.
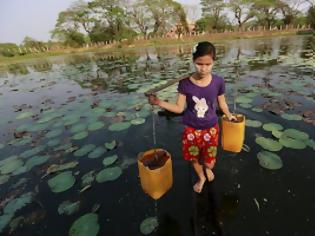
x=201 y=91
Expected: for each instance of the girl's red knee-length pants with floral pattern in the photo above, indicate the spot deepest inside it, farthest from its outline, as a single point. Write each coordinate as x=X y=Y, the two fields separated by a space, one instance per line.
x=200 y=143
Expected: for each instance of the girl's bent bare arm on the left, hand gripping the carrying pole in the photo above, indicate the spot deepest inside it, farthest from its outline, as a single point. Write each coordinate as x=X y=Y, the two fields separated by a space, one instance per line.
x=178 y=107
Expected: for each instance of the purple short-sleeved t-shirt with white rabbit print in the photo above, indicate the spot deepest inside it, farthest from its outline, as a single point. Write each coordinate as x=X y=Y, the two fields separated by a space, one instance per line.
x=200 y=112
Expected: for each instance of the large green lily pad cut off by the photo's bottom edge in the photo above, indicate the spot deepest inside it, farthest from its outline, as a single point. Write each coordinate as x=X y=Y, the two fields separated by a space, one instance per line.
x=86 y=225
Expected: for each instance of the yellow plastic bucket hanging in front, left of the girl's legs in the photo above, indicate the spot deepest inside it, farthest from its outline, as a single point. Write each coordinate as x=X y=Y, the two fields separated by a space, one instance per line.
x=157 y=178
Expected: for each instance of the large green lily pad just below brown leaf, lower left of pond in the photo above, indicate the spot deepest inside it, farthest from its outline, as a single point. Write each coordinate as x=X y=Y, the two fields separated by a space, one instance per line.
x=61 y=182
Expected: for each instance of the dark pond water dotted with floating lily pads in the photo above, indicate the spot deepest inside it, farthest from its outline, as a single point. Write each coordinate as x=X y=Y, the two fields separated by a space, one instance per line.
x=72 y=127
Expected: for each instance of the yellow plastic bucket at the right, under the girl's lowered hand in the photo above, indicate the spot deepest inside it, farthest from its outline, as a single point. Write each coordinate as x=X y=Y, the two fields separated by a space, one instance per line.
x=233 y=133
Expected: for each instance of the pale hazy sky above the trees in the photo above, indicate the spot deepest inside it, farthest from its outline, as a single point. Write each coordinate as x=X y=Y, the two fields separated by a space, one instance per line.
x=35 y=18
